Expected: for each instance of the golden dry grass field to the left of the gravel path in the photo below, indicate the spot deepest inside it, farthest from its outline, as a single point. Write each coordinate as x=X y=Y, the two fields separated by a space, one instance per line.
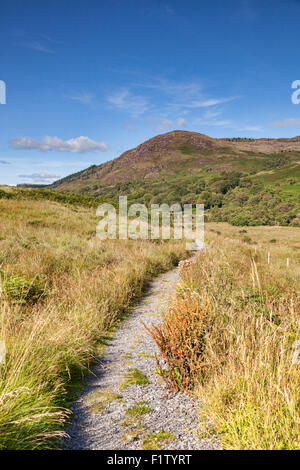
x=63 y=291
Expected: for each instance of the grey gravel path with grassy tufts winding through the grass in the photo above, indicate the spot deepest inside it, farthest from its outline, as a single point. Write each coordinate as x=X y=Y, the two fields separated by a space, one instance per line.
x=116 y=415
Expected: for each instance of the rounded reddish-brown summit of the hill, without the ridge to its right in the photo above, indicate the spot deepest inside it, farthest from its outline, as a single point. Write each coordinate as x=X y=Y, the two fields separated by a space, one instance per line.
x=161 y=154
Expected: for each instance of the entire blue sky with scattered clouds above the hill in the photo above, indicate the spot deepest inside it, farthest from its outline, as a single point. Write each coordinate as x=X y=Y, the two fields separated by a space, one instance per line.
x=87 y=80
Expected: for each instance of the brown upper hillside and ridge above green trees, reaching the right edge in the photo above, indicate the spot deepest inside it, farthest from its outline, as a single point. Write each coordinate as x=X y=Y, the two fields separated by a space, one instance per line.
x=178 y=153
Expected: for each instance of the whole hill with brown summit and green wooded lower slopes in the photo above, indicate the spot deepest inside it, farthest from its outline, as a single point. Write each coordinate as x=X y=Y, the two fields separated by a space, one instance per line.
x=240 y=181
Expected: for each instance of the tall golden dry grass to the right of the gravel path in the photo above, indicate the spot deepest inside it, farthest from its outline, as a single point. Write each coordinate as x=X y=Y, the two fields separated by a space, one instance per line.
x=248 y=382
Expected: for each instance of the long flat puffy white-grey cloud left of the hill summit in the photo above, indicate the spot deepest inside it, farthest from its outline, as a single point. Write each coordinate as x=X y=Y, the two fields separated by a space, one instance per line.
x=80 y=144
